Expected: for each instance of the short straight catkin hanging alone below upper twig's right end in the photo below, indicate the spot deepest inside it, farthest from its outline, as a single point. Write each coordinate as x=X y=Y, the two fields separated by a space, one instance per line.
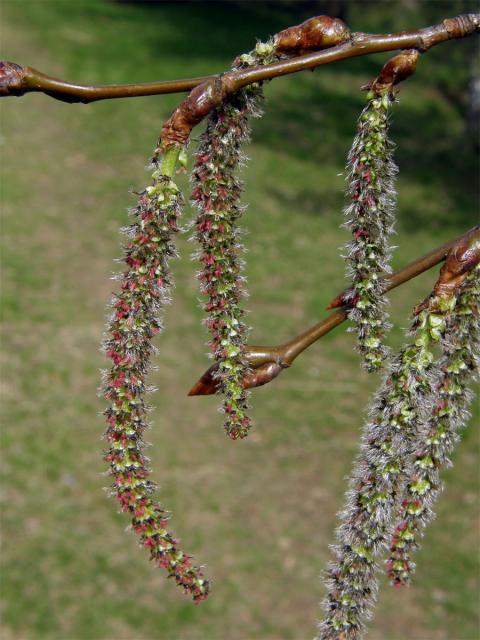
x=370 y=218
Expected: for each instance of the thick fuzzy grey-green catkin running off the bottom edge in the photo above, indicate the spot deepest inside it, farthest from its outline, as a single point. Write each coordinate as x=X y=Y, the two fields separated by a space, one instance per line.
x=376 y=482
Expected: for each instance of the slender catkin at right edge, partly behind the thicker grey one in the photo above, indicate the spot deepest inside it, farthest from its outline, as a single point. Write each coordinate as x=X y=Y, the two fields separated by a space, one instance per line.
x=438 y=435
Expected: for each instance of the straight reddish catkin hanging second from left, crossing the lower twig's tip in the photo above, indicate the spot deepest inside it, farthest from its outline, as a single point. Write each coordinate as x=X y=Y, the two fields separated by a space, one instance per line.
x=216 y=191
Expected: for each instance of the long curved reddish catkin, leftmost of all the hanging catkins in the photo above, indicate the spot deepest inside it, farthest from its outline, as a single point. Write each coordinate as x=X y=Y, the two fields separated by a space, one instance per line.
x=145 y=286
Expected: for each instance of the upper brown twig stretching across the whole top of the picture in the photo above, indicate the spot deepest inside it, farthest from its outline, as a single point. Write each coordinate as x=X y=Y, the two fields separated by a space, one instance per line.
x=16 y=80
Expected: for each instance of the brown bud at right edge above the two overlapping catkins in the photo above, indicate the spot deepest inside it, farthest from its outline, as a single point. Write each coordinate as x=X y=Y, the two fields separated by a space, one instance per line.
x=461 y=259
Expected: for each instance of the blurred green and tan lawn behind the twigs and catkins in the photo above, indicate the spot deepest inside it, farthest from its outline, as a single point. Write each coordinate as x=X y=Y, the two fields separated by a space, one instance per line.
x=259 y=513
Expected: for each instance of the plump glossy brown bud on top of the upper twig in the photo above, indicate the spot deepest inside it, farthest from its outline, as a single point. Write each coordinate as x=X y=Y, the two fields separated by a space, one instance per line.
x=316 y=33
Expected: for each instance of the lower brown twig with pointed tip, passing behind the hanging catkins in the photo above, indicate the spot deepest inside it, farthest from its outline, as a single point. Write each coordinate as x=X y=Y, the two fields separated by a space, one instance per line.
x=268 y=362
